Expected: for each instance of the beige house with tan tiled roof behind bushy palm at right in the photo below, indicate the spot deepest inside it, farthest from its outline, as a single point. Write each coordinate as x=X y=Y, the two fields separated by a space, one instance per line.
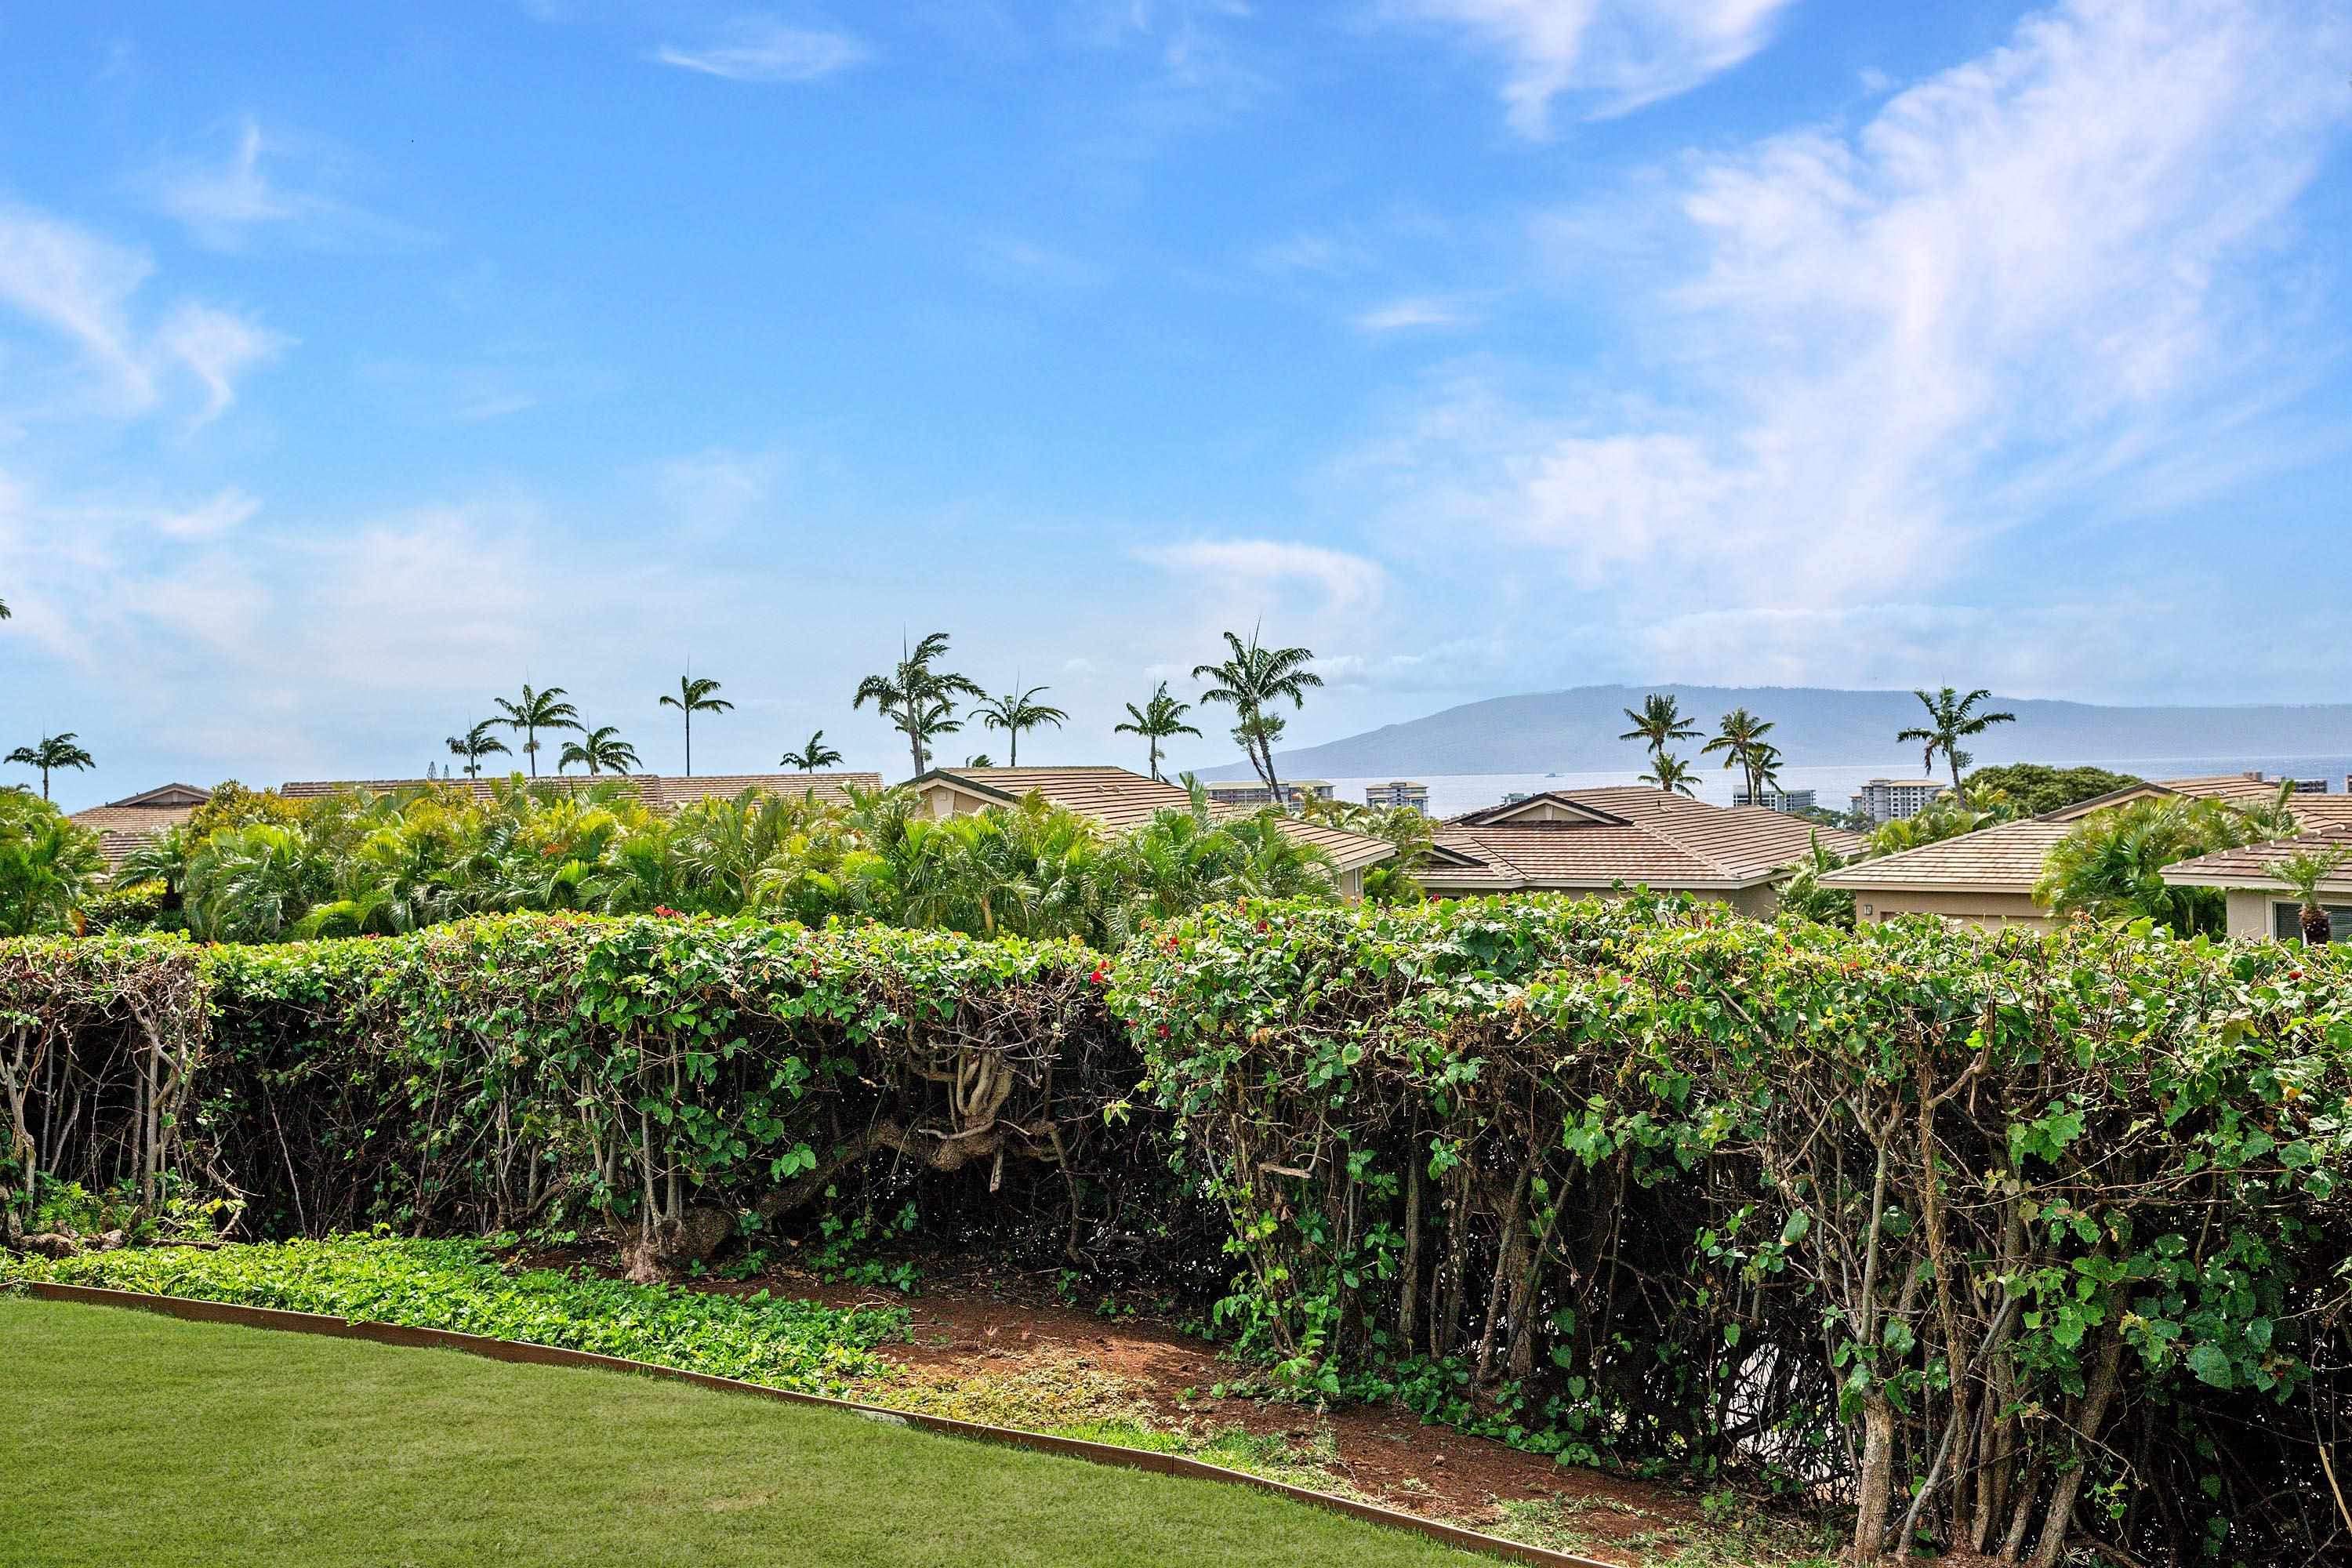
x=1989 y=878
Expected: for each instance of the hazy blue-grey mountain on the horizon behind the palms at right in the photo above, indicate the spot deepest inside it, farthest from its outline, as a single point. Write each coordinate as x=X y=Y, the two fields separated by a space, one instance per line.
x=1577 y=732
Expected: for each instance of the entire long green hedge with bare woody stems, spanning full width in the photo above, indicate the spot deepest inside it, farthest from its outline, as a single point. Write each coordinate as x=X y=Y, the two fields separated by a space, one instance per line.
x=1998 y=1238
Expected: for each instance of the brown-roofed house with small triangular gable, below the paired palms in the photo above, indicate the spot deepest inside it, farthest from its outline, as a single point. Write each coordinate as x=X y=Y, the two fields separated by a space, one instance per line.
x=1603 y=840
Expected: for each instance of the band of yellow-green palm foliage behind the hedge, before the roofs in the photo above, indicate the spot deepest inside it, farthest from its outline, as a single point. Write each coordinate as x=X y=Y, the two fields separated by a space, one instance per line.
x=258 y=869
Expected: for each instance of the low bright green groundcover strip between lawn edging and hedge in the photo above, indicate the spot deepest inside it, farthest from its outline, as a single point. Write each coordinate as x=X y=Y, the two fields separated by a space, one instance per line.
x=457 y=1285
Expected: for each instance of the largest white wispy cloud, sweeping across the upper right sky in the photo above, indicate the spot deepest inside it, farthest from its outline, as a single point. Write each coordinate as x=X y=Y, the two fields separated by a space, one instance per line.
x=2017 y=290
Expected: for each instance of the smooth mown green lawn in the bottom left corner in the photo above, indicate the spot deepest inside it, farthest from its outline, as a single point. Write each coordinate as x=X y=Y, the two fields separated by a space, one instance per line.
x=135 y=1440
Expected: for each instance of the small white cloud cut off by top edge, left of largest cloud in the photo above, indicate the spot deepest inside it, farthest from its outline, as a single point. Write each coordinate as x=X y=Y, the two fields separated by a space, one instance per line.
x=1612 y=55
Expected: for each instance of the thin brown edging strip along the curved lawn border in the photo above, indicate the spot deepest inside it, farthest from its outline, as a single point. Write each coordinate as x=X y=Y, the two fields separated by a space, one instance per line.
x=1015 y=1438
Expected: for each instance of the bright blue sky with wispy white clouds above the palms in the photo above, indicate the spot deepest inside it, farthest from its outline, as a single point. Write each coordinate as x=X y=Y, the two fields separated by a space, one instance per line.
x=363 y=363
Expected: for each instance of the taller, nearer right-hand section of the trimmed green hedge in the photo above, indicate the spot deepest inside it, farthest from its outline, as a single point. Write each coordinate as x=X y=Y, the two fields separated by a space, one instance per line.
x=2000 y=1233
